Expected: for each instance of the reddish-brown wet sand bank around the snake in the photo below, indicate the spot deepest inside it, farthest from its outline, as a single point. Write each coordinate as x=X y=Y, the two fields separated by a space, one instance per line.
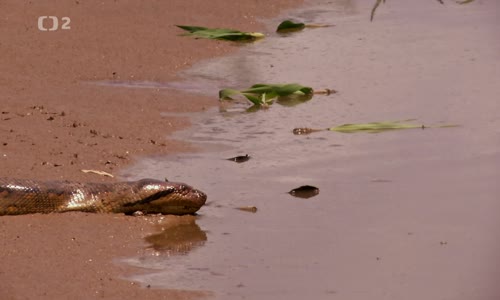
x=53 y=124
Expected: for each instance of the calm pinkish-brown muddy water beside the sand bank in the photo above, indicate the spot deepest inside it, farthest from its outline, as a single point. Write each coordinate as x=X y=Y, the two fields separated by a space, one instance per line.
x=400 y=215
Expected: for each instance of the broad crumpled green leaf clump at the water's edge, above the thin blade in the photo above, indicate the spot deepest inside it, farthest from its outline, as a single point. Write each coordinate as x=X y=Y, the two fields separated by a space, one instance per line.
x=263 y=95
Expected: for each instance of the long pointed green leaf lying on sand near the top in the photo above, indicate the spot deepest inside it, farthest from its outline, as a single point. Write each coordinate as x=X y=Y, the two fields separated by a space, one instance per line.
x=220 y=33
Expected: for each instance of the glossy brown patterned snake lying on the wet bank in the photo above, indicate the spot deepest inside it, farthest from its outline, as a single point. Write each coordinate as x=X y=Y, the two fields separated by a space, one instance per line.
x=148 y=196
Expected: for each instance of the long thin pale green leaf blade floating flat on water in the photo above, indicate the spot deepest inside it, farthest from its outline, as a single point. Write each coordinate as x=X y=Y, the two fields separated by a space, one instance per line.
x=373 y=127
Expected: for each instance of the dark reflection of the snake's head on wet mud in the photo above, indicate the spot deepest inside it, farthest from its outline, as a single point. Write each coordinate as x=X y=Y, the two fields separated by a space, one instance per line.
x=177 y=235
